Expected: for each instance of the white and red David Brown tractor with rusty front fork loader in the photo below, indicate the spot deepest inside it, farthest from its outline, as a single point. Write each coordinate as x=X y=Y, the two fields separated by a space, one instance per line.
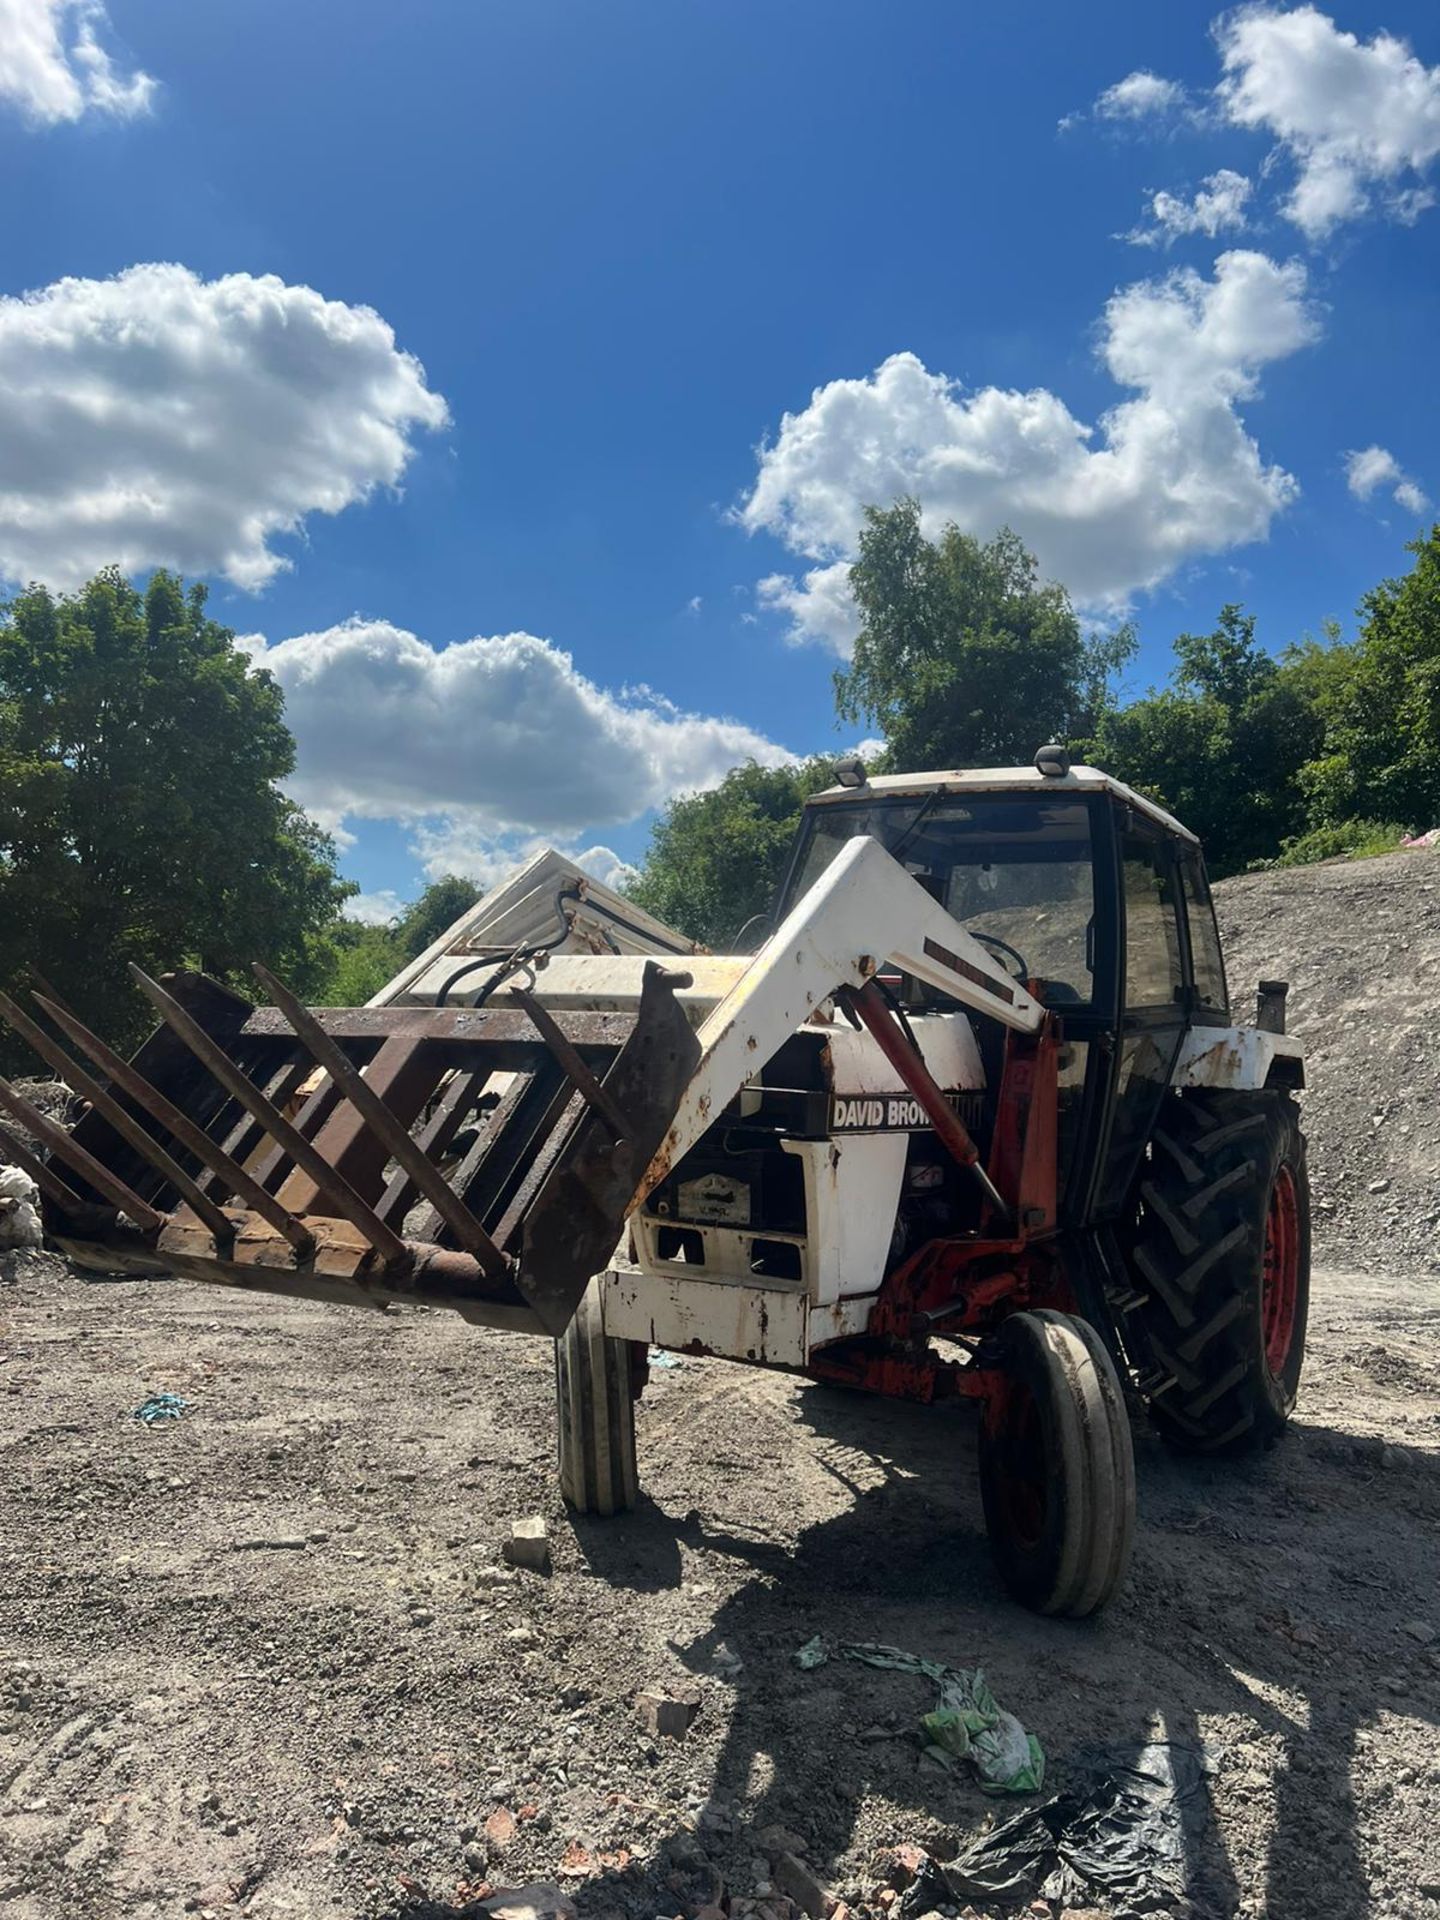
x=980 y=1086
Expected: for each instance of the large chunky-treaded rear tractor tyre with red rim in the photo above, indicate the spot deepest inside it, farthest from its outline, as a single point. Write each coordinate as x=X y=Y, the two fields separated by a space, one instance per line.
x=1220 y=1259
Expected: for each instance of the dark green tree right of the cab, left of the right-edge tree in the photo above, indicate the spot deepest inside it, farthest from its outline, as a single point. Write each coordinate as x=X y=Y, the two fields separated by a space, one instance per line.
x=1224 y=744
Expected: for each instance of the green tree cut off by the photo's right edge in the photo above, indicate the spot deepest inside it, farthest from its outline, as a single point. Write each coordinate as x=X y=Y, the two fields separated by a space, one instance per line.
x=1380 y=704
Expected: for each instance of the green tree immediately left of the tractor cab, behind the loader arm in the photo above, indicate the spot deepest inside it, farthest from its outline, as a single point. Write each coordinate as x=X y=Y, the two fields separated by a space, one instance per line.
x=717 y=859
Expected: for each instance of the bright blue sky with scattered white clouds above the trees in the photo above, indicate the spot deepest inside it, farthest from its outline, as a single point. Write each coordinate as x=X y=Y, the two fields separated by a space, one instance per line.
x=623 y=245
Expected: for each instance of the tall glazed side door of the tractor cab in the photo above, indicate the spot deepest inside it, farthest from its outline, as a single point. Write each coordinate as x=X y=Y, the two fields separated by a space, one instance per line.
x=1153 y=1007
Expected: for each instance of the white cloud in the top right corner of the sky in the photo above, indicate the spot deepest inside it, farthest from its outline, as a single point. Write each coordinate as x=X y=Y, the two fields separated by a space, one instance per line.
x=1355 y=116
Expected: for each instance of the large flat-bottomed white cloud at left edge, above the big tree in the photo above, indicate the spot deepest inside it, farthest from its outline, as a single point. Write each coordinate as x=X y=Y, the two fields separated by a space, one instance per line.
x=158 y=420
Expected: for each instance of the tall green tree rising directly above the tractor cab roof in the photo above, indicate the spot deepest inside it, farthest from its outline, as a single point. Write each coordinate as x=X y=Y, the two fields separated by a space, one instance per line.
x=965 y=658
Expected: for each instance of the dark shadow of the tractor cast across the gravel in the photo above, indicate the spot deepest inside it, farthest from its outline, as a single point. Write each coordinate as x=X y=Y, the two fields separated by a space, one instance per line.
x=1259 y=1598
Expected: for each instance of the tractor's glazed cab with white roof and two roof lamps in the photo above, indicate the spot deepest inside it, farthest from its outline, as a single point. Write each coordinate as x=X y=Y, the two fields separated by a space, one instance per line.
x=1090 y=896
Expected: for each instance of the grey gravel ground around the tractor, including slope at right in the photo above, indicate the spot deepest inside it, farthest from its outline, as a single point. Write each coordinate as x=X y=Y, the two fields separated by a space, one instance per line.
x=268 y=1660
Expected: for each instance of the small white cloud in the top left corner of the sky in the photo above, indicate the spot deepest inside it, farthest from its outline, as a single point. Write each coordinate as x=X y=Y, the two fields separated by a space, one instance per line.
x=55 y=68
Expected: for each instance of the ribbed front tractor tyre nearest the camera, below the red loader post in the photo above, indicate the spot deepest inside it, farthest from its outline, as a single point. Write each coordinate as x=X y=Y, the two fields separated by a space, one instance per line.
x=1057 y=1468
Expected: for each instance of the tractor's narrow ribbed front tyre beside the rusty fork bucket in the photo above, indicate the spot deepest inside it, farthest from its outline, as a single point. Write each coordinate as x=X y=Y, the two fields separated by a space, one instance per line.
x=596 y=1414
